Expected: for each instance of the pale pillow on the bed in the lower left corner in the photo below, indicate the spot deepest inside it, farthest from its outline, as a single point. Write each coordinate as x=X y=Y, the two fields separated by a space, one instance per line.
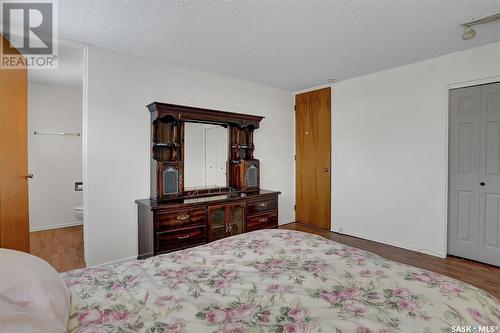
x=33 y=296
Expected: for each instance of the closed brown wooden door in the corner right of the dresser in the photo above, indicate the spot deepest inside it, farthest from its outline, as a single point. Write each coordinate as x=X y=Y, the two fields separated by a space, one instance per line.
x=313 y=158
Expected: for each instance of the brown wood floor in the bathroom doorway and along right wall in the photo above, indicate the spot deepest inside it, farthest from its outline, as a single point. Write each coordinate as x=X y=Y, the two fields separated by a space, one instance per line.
x=63 y=249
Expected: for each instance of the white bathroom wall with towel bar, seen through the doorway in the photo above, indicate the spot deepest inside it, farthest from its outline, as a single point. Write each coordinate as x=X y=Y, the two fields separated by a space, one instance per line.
x=55 y=161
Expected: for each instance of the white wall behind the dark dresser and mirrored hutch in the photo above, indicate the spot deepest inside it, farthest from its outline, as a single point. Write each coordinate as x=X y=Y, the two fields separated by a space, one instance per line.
x=119 y=88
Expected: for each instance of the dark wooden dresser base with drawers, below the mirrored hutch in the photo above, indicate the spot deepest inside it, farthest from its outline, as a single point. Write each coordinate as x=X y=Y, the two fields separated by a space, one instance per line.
x=166 y=227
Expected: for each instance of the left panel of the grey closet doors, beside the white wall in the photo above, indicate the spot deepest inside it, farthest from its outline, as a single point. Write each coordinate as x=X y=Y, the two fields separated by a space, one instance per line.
x=464 y=172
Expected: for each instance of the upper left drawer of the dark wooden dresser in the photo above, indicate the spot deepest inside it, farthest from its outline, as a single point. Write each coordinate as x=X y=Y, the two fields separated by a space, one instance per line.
x=180 y=219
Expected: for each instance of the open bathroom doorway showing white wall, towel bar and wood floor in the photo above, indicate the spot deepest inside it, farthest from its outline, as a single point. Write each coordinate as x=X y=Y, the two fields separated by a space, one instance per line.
x=55 y=152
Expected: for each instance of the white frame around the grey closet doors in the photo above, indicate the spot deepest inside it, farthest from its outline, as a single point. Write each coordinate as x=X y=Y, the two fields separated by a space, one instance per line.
x=450 y=86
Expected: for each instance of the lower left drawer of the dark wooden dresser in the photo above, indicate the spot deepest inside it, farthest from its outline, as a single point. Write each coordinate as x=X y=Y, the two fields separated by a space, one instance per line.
x=180 y=239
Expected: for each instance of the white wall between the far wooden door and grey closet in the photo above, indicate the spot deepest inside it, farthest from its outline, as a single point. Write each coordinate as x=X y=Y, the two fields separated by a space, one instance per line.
x=390 y=149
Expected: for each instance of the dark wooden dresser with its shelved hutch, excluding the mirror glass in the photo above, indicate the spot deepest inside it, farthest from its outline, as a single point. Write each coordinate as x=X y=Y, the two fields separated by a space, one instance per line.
x=176 y=217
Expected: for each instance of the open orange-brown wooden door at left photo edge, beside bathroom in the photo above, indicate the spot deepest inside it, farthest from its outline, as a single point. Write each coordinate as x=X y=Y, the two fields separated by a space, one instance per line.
x=14 y=223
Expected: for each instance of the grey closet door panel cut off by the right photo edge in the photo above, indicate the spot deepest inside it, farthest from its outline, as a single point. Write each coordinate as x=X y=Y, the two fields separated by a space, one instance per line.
x=489 y=200
